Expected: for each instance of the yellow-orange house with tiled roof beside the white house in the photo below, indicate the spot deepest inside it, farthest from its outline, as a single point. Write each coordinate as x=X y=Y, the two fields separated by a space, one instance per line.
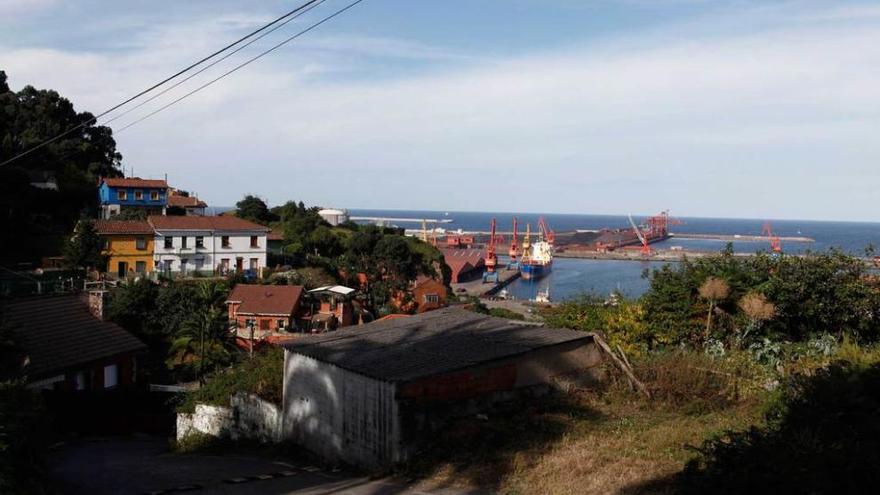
x=128 y=246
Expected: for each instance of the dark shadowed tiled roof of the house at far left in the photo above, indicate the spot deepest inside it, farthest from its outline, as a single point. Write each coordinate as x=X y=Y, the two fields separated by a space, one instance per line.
x=58 y=333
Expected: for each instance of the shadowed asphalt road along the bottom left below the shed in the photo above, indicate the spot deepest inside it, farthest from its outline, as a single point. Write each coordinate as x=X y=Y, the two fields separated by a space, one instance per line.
x=142 y=465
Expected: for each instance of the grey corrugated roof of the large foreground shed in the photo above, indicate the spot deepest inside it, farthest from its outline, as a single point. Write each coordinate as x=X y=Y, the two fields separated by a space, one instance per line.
x=432 y=343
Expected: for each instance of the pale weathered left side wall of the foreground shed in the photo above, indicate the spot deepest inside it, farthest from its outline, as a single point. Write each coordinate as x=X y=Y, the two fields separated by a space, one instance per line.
x=338 y=414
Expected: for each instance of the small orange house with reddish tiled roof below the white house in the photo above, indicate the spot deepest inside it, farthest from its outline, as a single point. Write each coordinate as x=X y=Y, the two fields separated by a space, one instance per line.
x=267 y=308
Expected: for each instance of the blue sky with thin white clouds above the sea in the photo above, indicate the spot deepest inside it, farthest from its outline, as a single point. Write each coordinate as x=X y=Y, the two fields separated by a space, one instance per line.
x=744 y=109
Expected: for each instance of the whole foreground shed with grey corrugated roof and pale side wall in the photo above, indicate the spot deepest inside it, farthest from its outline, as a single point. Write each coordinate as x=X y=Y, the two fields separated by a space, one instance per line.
x=368 y=395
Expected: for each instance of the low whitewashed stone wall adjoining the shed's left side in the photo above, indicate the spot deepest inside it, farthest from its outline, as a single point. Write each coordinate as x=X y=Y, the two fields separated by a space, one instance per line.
x=247 y=417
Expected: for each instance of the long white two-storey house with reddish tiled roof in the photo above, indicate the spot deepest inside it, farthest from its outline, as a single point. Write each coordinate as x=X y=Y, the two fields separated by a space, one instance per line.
x=209 y=245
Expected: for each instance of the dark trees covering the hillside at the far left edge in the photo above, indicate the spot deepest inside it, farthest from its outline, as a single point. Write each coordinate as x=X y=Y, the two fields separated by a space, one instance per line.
x=42 y=218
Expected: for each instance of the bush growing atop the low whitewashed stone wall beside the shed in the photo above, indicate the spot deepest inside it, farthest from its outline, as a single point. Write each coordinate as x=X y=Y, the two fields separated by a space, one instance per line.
x=261 y=376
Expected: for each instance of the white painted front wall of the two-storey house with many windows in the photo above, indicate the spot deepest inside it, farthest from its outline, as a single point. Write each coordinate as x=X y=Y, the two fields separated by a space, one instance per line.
x=213 y=252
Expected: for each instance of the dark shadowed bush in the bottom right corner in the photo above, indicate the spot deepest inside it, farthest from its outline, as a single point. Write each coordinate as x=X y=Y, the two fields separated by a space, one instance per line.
x=822 y=436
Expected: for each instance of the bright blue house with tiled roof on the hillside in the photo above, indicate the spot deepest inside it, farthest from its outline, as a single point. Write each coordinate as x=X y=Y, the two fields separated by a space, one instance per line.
x=116 y=194
